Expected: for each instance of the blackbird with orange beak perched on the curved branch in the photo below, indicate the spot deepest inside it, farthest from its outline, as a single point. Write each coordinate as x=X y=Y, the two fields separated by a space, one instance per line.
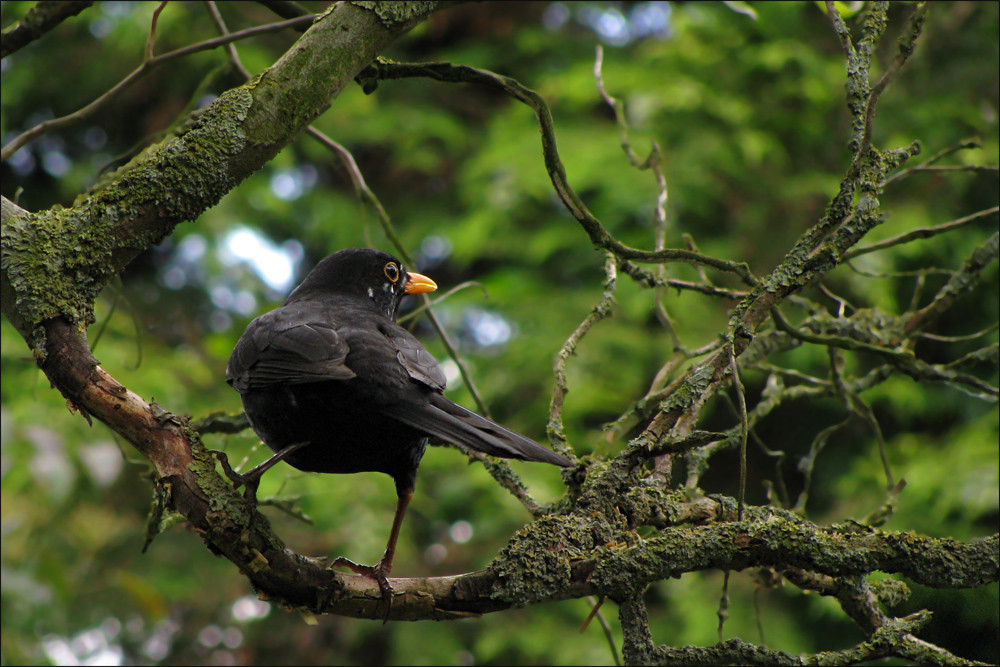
x=332 y=384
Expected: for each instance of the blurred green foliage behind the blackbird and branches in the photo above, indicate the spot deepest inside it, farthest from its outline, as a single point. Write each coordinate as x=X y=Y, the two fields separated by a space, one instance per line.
x=746 y=101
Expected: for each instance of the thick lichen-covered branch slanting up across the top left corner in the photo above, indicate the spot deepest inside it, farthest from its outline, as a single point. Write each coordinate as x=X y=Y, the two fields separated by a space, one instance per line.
x=57 y=261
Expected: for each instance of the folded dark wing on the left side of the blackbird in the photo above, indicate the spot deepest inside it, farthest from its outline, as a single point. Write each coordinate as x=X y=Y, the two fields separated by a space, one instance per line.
x=288 y=346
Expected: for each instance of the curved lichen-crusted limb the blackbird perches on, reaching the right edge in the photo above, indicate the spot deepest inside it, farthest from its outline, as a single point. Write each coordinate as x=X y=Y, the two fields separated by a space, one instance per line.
x=554 y=558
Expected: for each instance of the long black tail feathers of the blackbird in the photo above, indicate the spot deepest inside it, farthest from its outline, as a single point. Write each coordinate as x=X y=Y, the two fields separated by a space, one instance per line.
x=451 y=422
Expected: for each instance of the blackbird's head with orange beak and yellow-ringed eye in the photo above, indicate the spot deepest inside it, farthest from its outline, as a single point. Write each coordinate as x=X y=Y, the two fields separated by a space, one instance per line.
x=366 y=274
